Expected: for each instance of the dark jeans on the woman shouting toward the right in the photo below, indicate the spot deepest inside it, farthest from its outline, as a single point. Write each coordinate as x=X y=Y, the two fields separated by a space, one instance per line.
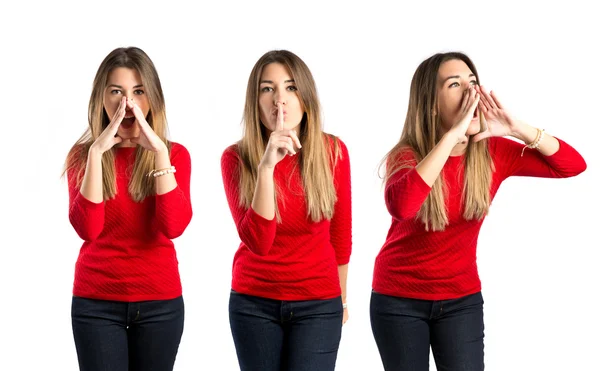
x=404 y=329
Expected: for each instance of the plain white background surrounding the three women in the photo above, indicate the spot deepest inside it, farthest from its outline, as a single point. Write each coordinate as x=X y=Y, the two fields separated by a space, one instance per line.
x=537 y=249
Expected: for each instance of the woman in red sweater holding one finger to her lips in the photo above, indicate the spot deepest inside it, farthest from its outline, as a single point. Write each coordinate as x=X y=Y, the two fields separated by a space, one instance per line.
x=288 y=188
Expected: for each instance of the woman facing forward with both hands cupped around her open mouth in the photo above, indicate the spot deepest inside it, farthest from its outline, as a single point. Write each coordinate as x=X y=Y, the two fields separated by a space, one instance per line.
x=129 y=196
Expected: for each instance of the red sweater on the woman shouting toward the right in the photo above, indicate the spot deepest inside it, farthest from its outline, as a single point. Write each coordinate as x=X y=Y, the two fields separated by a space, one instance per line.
x=414 y=263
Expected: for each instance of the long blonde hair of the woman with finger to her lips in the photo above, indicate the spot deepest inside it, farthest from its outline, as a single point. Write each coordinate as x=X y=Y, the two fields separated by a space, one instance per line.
x=317 y=157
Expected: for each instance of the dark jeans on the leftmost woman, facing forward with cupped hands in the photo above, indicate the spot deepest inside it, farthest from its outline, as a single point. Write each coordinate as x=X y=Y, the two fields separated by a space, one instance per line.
x=120 y=336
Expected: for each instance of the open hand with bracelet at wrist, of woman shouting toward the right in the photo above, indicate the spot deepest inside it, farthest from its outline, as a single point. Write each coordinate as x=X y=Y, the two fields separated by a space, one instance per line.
x=498 y=121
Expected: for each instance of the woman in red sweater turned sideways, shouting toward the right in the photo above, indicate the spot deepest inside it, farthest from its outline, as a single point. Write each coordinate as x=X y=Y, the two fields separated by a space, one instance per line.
x=440 y=180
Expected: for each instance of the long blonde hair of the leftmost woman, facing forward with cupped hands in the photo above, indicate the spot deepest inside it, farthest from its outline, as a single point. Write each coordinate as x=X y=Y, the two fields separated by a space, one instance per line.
x=140 y=186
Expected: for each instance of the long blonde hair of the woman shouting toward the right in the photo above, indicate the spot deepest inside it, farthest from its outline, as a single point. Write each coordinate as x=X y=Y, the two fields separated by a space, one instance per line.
x=422 y=131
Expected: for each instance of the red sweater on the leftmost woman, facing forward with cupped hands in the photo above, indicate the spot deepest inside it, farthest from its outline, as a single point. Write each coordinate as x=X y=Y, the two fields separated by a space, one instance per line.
x=127 y=254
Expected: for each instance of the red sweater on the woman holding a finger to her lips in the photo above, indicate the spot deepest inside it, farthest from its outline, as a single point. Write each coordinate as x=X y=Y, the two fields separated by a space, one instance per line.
x=296 y=259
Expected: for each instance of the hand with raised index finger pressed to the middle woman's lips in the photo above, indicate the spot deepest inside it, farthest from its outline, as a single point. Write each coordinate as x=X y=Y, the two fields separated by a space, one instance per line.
x=281 y=143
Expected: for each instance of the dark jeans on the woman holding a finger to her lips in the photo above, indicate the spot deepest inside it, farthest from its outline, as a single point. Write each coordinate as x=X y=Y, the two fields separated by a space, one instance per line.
x=275 y=335
